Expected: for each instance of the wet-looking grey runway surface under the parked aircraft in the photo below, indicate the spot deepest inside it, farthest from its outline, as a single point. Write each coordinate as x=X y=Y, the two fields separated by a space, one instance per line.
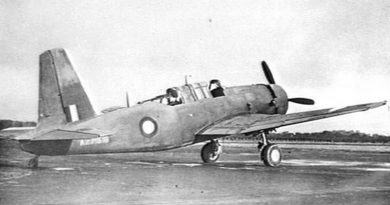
x=310 y=174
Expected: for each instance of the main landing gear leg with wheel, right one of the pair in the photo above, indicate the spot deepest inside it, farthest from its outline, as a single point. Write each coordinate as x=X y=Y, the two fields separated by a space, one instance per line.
x=270 y=153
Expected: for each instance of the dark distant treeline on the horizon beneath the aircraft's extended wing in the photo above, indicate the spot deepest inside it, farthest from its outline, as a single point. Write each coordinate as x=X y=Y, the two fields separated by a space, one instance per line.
x=325 y=136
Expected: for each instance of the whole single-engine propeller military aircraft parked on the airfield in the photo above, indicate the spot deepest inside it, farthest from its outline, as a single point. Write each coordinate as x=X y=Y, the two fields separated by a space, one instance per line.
x=67 y=123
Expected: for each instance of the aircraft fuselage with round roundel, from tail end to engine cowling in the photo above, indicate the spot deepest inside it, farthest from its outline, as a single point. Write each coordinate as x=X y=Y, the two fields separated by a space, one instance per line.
x=154 y=126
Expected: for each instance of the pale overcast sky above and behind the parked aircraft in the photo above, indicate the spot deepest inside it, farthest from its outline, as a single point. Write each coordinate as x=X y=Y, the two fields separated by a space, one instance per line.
x=335 y=52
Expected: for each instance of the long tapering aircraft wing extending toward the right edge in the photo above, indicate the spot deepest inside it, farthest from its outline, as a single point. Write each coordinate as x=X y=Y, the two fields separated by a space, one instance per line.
x=248 y=123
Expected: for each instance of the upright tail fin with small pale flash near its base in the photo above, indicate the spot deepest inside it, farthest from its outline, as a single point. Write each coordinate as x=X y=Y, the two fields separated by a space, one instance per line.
x=62 y=98
